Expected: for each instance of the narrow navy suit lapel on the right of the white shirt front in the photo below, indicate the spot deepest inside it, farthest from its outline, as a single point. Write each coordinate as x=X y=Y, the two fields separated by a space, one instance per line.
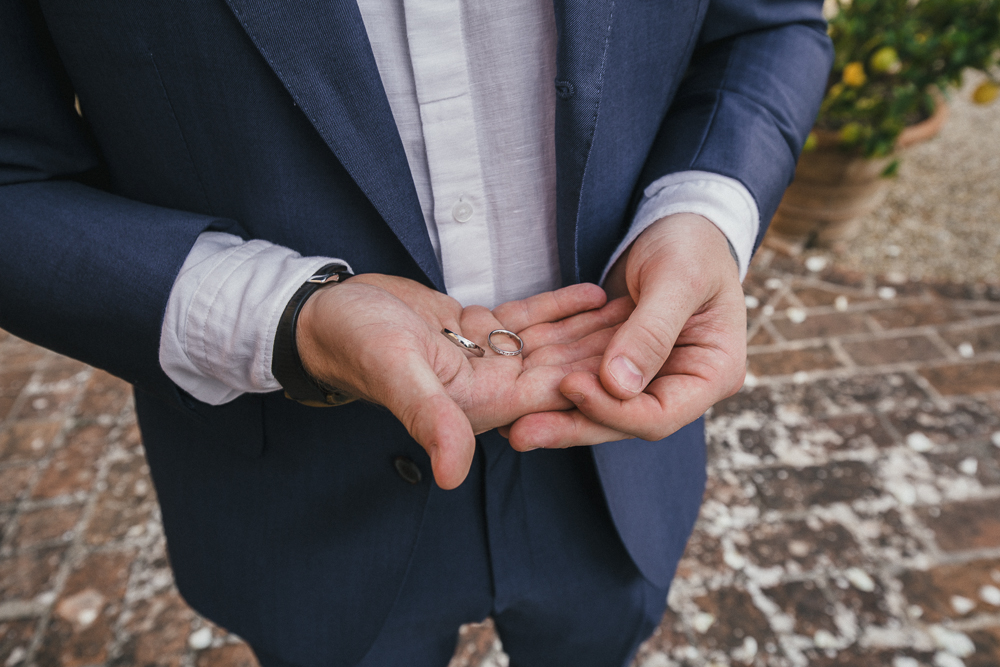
x=584 y=28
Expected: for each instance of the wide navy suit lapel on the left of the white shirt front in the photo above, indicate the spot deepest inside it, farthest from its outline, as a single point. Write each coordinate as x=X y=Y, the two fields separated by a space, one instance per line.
x=320 y=51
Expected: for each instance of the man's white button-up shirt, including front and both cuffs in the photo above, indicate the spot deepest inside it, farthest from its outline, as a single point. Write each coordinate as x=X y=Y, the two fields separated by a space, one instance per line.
x=471 y=88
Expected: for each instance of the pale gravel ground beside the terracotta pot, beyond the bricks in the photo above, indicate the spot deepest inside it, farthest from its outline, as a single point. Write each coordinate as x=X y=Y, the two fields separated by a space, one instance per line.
x=941 y=218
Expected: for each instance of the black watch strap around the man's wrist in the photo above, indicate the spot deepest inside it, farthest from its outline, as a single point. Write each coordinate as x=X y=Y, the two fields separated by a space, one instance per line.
x=286 y=365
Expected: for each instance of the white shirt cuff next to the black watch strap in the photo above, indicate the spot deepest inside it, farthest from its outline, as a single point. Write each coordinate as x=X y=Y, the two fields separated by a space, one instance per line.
x=222 y=314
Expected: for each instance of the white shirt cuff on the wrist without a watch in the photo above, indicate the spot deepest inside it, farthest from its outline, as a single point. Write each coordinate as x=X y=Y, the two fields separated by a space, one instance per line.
x=723 y=200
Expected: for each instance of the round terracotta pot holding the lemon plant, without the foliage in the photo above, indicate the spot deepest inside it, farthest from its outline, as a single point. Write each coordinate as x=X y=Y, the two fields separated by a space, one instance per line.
x=833 y=189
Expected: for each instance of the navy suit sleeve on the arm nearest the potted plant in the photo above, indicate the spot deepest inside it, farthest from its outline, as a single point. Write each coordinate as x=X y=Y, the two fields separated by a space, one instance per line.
x=749 y=98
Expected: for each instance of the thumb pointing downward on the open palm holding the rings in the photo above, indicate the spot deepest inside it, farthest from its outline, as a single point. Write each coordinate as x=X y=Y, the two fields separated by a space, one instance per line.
x=435 y=421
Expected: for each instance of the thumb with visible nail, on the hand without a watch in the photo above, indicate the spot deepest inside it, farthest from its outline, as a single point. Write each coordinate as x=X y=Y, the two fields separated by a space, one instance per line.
x=641 y=345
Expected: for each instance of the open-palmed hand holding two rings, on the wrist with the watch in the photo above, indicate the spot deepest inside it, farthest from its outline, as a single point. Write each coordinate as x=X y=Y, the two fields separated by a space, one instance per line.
x=379 y=337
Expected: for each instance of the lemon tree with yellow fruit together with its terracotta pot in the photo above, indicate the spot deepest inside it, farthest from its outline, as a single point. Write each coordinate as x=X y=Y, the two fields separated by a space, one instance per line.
x=895 y=63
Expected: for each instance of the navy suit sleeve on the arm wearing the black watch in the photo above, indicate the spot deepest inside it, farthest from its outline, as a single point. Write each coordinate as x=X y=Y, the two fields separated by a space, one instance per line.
x=82 y=271
